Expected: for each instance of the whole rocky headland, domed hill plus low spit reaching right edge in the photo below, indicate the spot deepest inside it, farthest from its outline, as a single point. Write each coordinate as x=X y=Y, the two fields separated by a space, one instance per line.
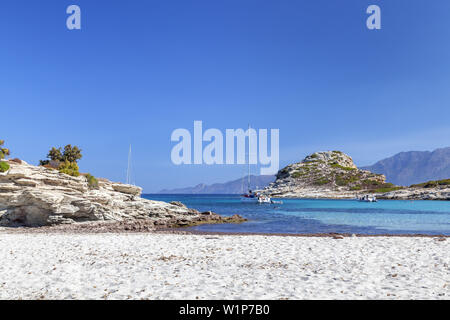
x=333 y=175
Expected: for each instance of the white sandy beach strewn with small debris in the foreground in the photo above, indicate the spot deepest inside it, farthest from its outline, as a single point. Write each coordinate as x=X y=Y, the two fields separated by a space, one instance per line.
x=172 y=266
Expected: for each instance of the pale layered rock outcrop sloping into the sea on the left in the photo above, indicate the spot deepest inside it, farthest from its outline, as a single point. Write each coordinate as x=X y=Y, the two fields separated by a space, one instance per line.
x=38 y=196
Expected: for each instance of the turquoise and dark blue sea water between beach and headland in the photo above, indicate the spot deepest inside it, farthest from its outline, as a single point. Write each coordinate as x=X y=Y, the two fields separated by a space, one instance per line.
x=323 y=216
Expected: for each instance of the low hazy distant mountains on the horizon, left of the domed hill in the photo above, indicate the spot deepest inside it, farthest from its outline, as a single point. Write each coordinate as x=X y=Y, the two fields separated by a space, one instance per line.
x=231 y=187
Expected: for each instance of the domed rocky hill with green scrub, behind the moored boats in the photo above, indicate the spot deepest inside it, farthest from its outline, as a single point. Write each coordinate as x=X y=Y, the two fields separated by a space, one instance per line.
x=329 y=174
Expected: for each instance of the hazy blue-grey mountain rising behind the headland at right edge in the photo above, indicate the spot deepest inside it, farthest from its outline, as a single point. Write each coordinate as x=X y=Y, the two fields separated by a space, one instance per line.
x=406 y=168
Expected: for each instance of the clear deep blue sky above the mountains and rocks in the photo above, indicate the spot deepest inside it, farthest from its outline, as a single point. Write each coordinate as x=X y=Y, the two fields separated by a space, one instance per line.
x=140 y=69
